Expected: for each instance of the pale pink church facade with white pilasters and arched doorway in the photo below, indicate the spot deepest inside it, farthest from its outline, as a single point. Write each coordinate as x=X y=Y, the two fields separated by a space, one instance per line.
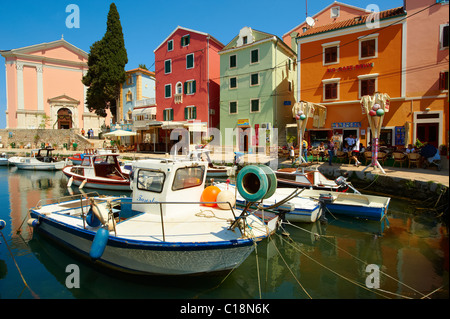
x=44 y=88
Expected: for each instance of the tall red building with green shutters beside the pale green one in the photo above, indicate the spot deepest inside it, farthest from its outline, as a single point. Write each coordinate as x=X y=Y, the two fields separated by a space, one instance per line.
x=187 y=76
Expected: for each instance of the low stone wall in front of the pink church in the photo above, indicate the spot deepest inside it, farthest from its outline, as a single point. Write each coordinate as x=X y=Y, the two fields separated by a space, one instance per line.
x=34 y=138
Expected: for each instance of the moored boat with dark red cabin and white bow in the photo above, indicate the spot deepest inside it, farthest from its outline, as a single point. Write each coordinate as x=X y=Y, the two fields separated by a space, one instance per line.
x=100 y=171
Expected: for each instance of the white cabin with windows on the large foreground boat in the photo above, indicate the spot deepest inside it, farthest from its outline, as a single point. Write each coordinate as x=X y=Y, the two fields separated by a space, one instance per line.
x=156 y=181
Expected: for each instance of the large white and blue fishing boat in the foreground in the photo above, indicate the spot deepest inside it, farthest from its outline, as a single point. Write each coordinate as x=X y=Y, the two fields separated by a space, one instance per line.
x=162 y=229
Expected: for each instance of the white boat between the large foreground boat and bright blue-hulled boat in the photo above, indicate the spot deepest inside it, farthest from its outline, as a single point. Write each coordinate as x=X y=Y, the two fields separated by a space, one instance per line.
x=297 y=209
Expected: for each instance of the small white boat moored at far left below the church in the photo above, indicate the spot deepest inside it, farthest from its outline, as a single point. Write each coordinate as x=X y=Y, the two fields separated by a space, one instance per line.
x=40 y=159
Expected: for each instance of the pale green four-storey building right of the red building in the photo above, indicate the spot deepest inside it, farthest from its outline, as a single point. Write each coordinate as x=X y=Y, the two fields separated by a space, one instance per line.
x=257 y=93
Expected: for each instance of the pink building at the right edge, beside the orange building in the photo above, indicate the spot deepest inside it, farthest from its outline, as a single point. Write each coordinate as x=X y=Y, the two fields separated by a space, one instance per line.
x=427 y=69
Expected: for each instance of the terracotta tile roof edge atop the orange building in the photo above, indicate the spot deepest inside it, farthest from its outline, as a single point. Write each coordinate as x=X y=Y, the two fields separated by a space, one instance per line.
x=357 y=20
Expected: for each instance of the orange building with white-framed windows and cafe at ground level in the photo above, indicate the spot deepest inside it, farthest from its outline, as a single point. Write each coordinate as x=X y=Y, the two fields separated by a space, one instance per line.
x=343 y=61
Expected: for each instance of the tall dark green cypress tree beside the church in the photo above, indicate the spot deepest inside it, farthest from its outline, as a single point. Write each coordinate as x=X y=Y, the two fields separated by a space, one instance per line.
x=106 y=61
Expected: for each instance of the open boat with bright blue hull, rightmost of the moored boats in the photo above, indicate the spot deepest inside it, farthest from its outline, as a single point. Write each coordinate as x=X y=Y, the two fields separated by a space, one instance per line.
x=351 y=204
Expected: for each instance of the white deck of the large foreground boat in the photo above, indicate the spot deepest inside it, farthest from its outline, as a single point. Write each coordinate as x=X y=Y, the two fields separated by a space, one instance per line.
x=204 y=224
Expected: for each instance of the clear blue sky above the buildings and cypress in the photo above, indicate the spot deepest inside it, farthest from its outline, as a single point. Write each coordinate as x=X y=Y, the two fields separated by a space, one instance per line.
x=147 y=23
